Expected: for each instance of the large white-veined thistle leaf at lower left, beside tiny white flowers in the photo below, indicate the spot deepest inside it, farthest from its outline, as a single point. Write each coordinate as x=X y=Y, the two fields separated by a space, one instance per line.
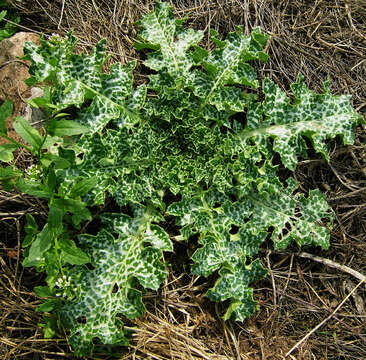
x=110 y=289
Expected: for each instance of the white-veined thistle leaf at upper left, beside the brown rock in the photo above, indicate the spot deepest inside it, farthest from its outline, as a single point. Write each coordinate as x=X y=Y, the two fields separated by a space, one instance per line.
x=79 y=78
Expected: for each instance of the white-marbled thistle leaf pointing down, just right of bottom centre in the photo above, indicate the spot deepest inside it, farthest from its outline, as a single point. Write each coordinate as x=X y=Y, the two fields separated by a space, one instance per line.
x=222 y=249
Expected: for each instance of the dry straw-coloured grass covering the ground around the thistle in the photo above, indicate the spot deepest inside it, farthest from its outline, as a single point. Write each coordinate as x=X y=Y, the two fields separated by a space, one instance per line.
x=320 y=38
